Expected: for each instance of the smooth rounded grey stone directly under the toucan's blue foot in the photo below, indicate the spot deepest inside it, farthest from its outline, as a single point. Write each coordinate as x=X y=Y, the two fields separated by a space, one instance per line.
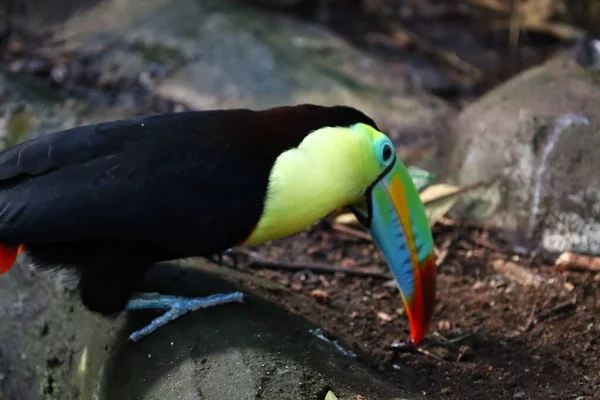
x=258 y=351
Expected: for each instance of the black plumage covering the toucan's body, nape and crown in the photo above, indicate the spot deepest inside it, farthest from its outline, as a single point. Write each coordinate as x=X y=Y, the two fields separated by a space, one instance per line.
x=109 y=200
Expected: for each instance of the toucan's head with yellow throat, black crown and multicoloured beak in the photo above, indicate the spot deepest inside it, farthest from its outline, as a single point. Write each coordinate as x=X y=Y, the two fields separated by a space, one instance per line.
x=345 y=161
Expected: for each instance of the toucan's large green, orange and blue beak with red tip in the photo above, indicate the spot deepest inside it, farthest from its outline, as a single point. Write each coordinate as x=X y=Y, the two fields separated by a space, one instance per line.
x=394 y=215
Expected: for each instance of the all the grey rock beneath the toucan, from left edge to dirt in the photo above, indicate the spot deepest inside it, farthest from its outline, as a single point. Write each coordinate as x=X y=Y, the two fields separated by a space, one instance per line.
x=53 y=348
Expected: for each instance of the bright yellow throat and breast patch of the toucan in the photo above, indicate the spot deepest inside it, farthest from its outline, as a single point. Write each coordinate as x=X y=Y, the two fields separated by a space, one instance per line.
x=306 y=184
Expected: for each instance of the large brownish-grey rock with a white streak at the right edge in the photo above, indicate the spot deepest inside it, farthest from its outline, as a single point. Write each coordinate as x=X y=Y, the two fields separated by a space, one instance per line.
x=539 y=134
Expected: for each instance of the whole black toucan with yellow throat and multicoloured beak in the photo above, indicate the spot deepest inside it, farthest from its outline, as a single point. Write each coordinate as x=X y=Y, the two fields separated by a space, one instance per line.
x=107 y=201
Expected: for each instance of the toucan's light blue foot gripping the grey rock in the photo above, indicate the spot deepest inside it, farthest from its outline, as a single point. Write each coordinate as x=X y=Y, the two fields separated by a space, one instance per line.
x=176 y=306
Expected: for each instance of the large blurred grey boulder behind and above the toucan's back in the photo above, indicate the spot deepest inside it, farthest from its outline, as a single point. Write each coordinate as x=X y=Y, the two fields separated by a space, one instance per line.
x=226 y=54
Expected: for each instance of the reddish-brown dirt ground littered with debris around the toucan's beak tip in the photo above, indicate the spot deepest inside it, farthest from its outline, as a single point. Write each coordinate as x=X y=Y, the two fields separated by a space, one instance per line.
x=491 y=337
